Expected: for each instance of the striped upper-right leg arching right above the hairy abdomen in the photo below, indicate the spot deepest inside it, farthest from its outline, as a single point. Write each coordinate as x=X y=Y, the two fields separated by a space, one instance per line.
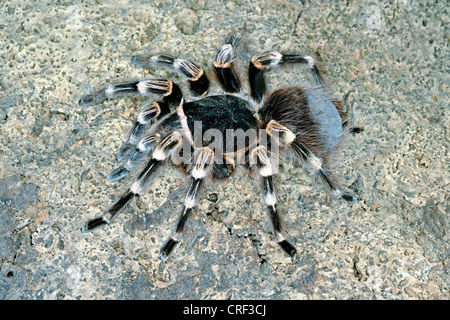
x=269 y=59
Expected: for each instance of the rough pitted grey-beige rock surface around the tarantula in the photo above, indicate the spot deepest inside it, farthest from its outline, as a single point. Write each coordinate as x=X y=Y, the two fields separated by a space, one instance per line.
x=388 y=61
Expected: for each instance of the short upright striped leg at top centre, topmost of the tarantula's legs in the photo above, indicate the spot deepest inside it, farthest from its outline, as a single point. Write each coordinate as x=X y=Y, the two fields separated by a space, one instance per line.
x=224 y=65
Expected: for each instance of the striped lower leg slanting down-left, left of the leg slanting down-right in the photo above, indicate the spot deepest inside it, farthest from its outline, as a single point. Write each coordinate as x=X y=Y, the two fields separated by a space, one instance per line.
x=201 y=169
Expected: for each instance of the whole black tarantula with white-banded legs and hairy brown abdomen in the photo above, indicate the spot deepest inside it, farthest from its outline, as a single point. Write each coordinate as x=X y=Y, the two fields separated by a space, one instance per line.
x=302 y=121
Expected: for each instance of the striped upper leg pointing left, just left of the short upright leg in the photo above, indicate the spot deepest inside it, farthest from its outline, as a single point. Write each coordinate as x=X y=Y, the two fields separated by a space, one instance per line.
x=196 y=76
